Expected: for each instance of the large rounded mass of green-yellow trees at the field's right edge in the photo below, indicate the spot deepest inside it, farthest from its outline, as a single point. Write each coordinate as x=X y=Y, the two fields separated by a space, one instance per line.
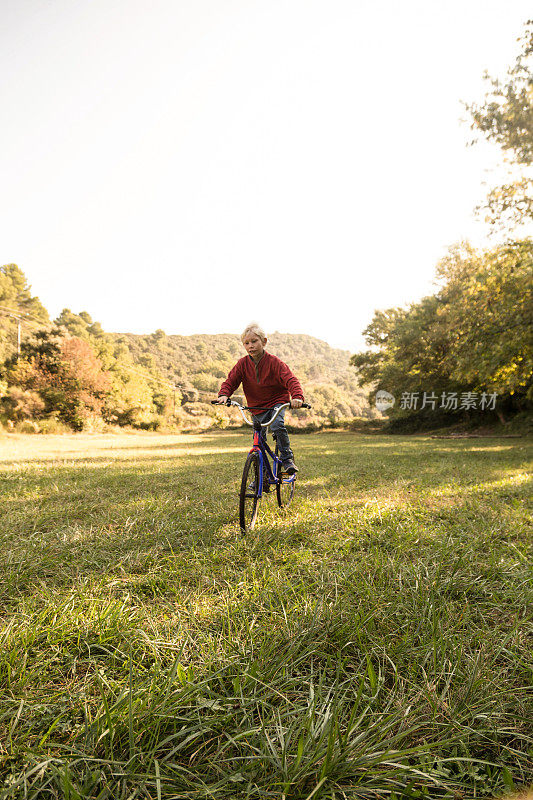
x=473 y=334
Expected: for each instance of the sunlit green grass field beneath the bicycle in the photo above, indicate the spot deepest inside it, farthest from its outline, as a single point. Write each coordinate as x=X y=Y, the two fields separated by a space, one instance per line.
x=375 y=642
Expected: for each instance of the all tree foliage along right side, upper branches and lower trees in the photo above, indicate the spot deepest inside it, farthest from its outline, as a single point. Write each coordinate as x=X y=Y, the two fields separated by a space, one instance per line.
x=475 y=333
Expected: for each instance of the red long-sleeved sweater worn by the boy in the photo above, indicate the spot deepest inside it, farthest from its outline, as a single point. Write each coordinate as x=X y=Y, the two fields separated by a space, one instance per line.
x=264 y=384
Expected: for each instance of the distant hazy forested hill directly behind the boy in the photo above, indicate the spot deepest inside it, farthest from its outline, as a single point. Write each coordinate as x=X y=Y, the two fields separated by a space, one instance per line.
x=197 y=364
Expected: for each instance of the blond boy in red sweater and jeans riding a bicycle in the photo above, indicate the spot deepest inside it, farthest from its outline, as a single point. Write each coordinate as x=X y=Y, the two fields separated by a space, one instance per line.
x=267 y=383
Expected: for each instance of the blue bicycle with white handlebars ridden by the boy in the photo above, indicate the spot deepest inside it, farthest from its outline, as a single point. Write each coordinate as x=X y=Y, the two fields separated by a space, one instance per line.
x=258 y=475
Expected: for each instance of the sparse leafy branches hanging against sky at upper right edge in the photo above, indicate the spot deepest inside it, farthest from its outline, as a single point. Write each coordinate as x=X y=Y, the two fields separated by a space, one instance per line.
x=506 y=118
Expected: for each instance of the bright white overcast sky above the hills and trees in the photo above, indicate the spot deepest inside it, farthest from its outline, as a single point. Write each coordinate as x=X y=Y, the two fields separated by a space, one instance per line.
x=193 y=165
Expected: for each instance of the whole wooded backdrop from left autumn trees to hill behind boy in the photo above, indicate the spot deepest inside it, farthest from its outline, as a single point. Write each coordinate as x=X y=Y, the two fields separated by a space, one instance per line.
x=69 y=371
